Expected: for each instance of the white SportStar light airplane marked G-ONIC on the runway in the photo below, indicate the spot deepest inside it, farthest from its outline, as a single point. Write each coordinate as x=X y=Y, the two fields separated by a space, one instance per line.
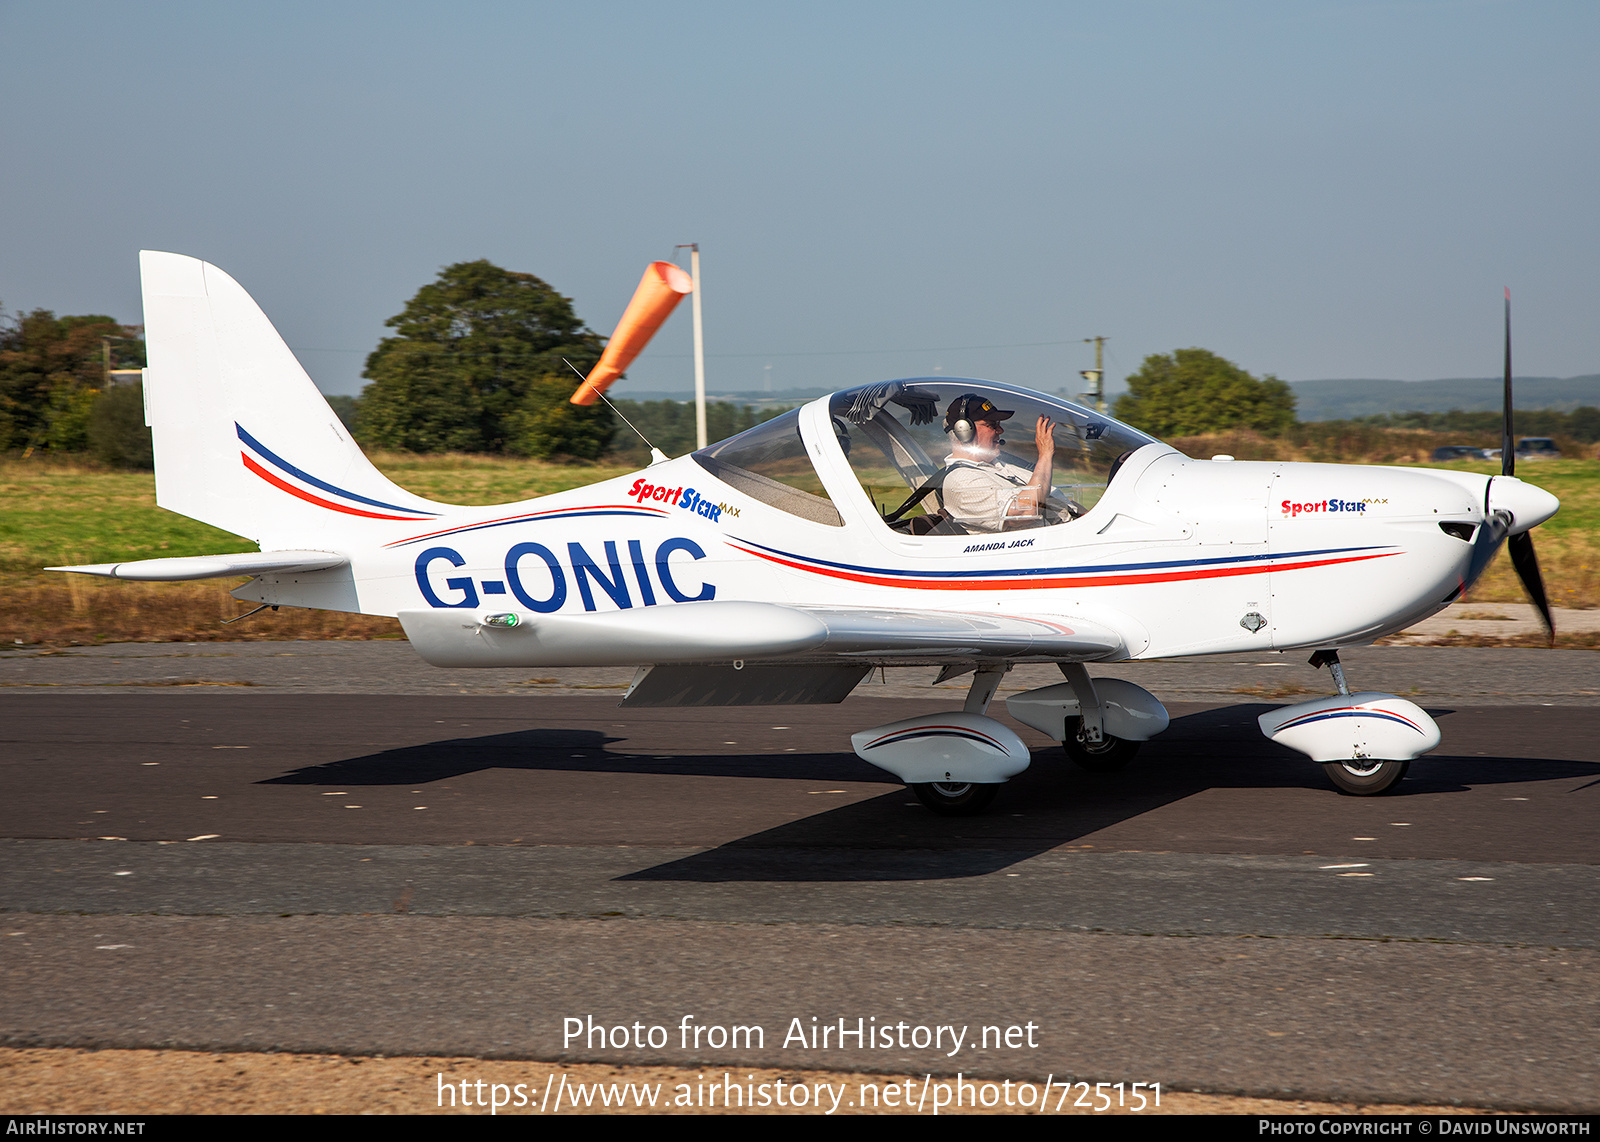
x=874 y=527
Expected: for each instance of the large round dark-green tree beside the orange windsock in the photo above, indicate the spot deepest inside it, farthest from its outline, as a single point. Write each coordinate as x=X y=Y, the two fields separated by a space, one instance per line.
x=476 y=365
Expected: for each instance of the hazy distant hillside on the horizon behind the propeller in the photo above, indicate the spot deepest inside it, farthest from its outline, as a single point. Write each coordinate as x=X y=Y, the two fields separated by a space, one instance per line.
x=1342 y=401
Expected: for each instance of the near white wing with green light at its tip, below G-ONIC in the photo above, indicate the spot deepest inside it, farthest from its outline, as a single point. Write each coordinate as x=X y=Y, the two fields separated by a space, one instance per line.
x=761 y=633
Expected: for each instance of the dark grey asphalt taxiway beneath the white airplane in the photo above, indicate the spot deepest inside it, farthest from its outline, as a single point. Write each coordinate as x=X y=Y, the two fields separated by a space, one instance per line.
x=332 y=849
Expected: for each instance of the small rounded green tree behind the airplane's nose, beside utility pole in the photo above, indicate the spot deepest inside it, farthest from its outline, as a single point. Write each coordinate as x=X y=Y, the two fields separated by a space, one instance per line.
x=1196 y=391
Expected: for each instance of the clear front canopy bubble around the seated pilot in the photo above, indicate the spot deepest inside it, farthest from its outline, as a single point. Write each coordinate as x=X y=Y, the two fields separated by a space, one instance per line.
x=972 y=450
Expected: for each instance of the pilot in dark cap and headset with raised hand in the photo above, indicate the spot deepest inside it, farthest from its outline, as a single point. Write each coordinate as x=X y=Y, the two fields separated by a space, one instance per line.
x=985 y=493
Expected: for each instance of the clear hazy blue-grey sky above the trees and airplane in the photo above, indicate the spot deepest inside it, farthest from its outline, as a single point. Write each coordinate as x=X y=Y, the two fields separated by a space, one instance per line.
x=879 y=190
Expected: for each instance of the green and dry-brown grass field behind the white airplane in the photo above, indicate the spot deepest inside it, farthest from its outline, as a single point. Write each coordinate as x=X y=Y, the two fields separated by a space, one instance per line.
x=58 y=513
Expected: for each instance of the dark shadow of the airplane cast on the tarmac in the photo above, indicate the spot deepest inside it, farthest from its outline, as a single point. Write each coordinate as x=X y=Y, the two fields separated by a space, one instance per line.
x=892 y=837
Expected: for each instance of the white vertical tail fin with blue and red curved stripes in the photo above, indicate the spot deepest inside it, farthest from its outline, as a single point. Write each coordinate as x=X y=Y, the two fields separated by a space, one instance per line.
x=244 y=441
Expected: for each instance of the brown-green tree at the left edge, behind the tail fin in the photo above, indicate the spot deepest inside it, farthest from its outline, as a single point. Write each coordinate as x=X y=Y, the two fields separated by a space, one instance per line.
x=52 y=372
